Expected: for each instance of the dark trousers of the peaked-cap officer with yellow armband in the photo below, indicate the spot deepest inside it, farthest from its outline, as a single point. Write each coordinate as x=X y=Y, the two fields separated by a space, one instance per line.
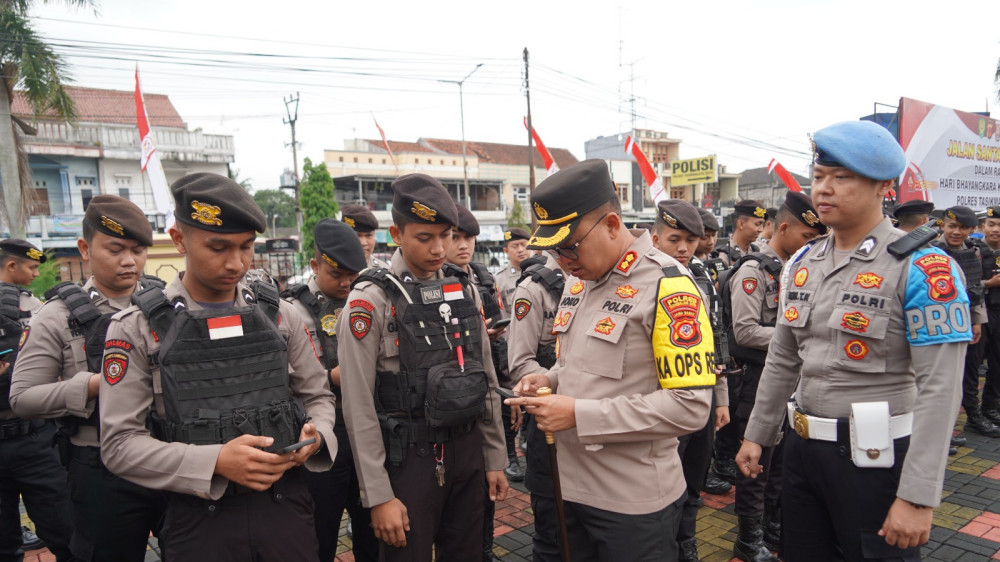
x=605 y=536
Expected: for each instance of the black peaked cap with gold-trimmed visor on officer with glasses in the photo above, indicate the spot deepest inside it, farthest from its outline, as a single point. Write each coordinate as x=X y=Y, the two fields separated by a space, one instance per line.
x=564 y=197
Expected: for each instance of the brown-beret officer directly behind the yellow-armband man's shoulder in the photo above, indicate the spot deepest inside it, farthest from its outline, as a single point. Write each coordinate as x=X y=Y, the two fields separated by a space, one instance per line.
x=678 y=232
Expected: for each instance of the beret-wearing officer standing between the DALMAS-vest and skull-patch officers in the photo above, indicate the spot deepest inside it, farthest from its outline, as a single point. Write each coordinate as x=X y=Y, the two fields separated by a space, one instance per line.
x=337 y=259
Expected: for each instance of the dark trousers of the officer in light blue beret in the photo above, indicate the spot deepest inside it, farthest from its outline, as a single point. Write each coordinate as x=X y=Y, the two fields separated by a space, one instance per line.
x=833 y=510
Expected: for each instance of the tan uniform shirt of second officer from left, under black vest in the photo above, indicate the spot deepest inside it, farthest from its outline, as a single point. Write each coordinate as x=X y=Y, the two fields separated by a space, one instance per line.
x=48 y=383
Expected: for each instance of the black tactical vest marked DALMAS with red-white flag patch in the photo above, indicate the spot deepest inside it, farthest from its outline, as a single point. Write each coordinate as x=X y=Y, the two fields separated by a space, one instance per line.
x=215 y=390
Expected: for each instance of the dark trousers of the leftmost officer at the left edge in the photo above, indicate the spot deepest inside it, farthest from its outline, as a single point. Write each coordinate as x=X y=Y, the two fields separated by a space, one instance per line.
x=29 y=468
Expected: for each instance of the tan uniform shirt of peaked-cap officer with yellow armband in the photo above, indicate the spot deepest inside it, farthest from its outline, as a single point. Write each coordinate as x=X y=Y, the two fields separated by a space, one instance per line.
x=622 y=454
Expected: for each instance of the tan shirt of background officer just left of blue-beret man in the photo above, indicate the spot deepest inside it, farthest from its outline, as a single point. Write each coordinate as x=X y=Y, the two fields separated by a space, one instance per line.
x=754 y=302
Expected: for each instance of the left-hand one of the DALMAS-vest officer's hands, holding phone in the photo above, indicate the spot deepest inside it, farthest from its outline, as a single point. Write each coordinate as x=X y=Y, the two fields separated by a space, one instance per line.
x=242 y=461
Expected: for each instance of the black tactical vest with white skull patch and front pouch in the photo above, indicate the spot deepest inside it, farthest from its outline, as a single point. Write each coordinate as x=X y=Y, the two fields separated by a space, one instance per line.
x=432 y=398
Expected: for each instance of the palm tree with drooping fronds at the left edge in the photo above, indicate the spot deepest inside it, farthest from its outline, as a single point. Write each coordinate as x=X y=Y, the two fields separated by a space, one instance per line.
x=26 y=62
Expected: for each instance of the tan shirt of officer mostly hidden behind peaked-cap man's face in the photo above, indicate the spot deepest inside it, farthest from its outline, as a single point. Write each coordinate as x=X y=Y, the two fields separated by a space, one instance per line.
x=532 y=311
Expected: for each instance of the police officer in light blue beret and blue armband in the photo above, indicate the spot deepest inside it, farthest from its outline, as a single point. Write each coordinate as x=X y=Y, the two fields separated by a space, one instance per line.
x=872 y=366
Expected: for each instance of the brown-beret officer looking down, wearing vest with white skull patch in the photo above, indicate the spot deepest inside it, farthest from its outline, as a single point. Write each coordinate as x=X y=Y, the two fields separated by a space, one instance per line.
x=417 y=338
